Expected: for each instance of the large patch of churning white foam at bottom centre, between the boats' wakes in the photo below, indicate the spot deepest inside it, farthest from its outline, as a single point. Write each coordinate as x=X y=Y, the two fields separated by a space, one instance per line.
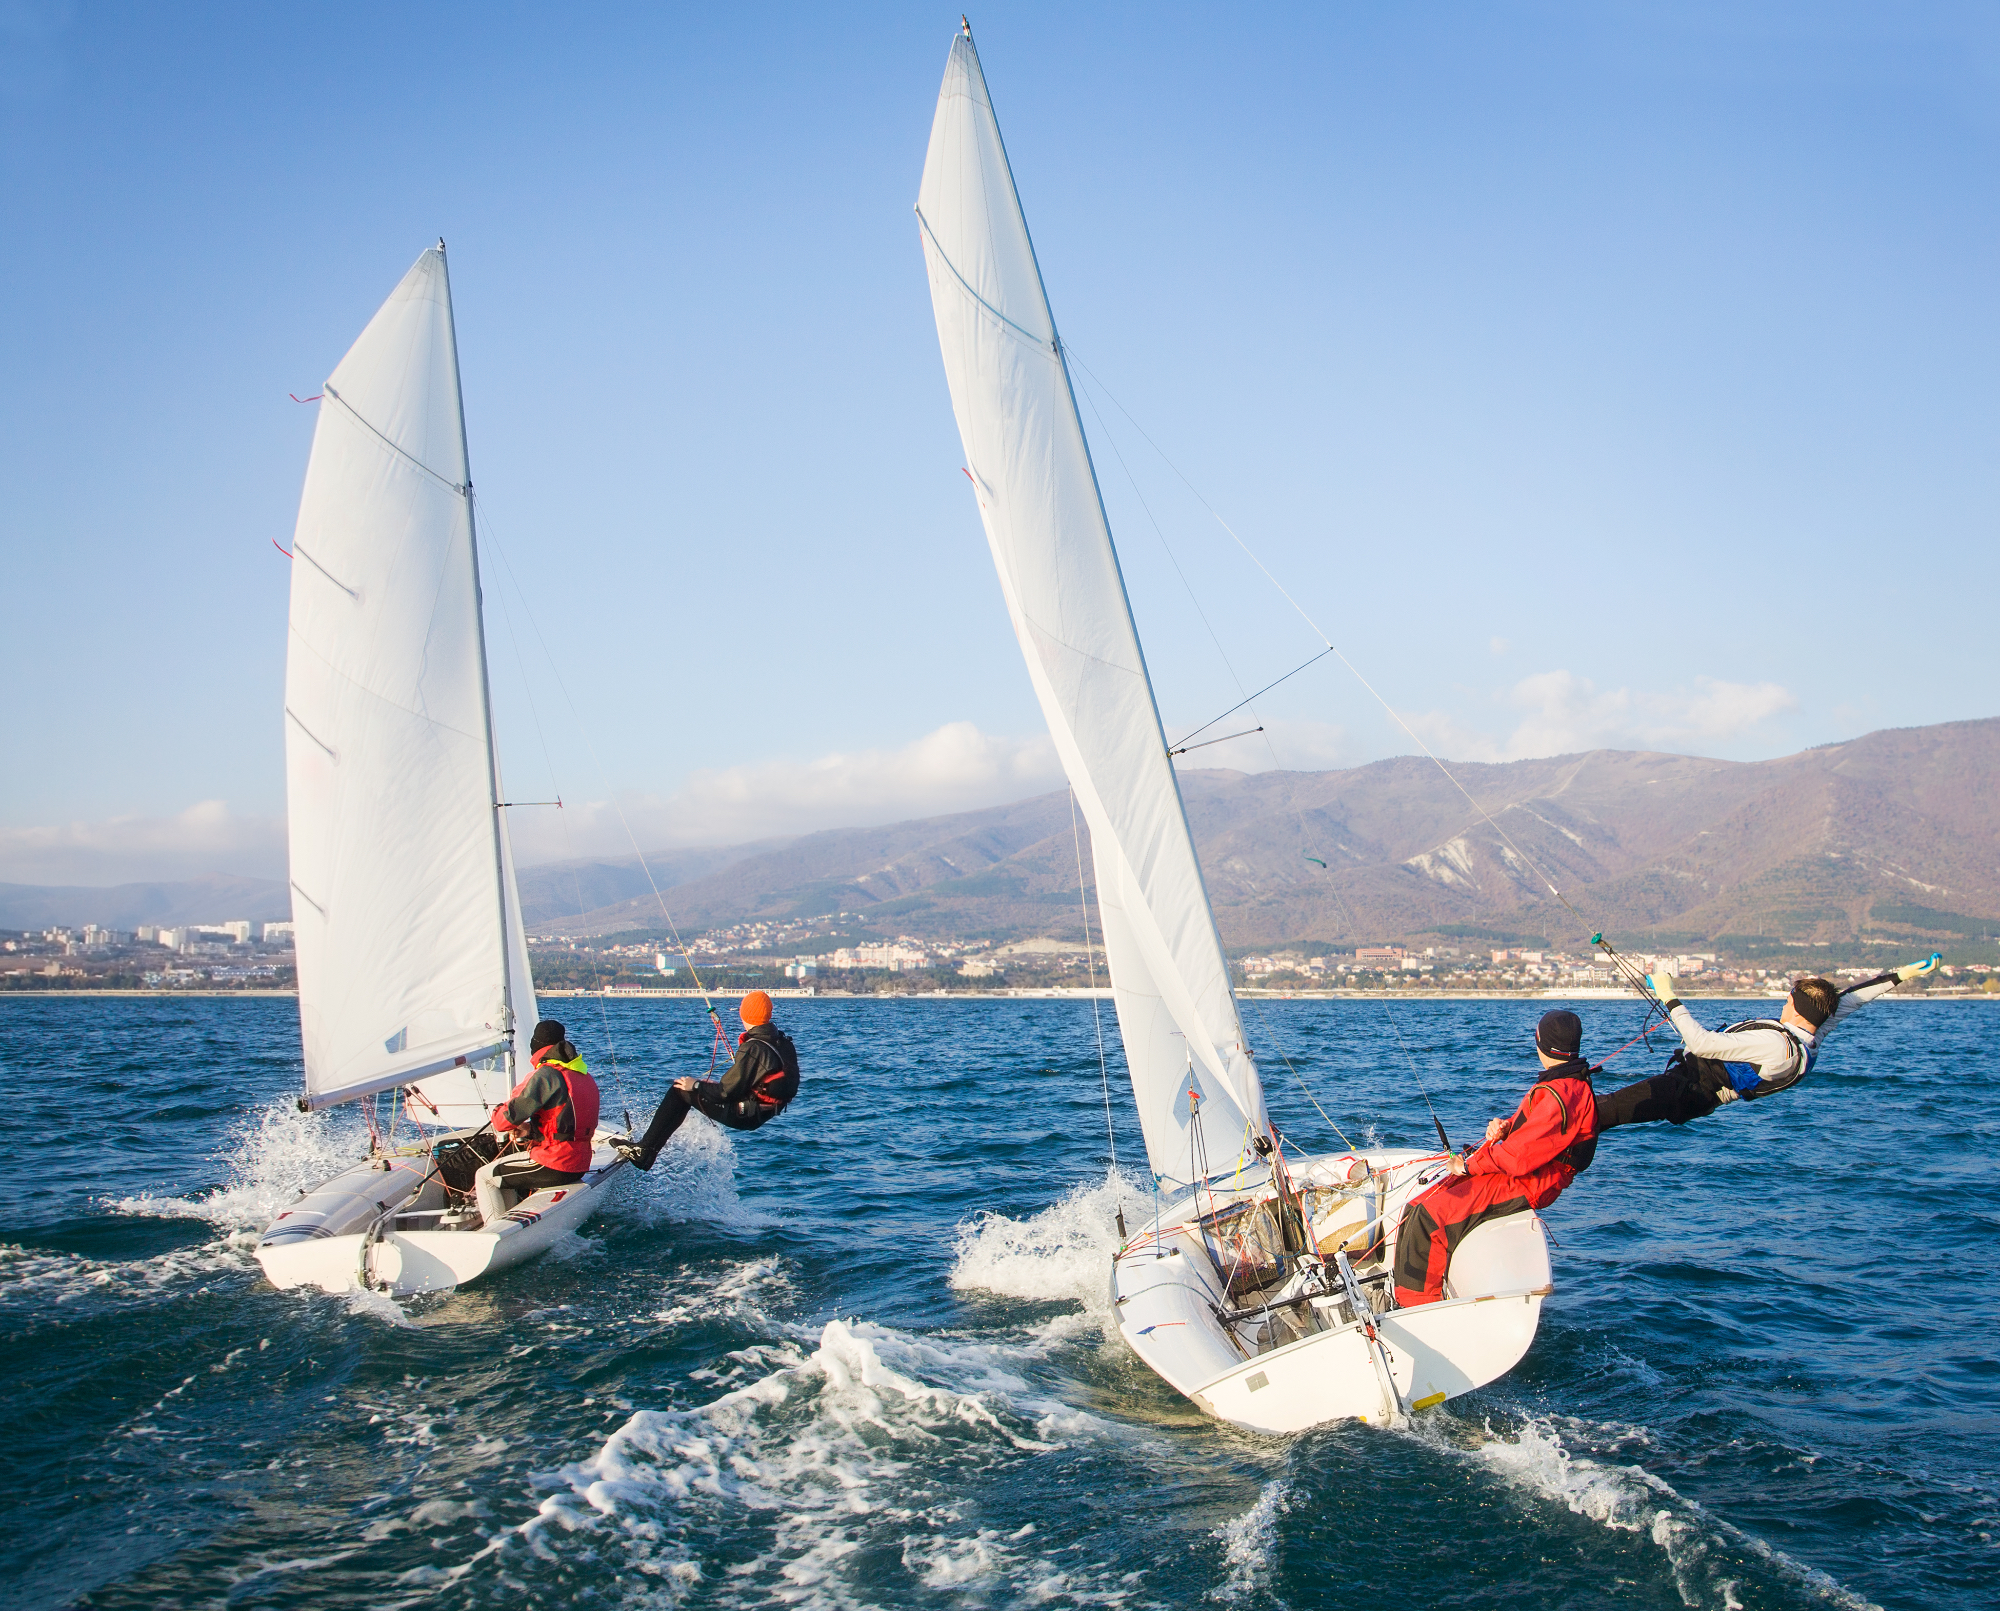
x=829 y=1452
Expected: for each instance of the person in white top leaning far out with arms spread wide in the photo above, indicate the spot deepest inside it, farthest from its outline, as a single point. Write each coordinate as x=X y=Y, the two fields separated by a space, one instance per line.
x=1749 y=1060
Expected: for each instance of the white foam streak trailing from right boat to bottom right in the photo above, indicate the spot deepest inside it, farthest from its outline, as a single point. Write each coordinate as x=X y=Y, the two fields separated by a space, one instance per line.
x=1703 y=1552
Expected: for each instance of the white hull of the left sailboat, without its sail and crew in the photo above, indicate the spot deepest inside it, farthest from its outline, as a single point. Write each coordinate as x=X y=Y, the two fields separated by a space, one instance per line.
x=383 y=1226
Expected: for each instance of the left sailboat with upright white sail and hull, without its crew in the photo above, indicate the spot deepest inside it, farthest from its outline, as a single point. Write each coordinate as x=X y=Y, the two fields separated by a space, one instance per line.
x=413 y=962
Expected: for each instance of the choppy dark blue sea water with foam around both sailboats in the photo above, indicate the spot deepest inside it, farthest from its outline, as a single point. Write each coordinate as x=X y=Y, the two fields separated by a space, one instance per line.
x=861 y=1358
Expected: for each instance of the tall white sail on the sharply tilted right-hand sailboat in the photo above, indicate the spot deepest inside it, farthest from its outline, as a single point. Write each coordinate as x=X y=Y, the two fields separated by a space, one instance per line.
x=1051 y=541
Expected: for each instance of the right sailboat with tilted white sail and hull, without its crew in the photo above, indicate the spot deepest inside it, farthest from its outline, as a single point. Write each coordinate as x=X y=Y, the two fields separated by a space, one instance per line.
x=1263 y=1284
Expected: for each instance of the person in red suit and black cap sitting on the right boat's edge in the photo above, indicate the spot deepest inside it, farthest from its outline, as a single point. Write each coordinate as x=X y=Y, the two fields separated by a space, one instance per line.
x=1525 y=1164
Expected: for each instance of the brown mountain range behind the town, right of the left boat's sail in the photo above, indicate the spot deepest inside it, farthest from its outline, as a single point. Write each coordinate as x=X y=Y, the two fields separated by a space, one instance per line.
x=1895 y=834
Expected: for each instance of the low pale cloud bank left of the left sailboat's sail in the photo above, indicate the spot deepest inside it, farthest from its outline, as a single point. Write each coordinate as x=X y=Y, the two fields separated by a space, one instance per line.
x=207 y=838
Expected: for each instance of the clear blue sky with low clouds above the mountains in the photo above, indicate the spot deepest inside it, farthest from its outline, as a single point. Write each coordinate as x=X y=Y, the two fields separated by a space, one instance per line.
x=1591 y=375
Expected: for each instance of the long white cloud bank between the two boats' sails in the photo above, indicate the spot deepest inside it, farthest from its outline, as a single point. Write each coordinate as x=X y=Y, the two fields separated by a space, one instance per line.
x=955 y=769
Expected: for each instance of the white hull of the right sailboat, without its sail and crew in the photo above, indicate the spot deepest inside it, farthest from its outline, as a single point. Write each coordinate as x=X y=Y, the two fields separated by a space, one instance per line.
x=1293 y=1356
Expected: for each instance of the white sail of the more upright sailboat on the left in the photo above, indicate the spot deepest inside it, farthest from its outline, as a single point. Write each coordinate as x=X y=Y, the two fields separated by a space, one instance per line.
x=409 y=938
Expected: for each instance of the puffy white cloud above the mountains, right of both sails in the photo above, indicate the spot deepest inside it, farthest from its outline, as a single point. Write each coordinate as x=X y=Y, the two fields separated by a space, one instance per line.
x=1563 y=713
